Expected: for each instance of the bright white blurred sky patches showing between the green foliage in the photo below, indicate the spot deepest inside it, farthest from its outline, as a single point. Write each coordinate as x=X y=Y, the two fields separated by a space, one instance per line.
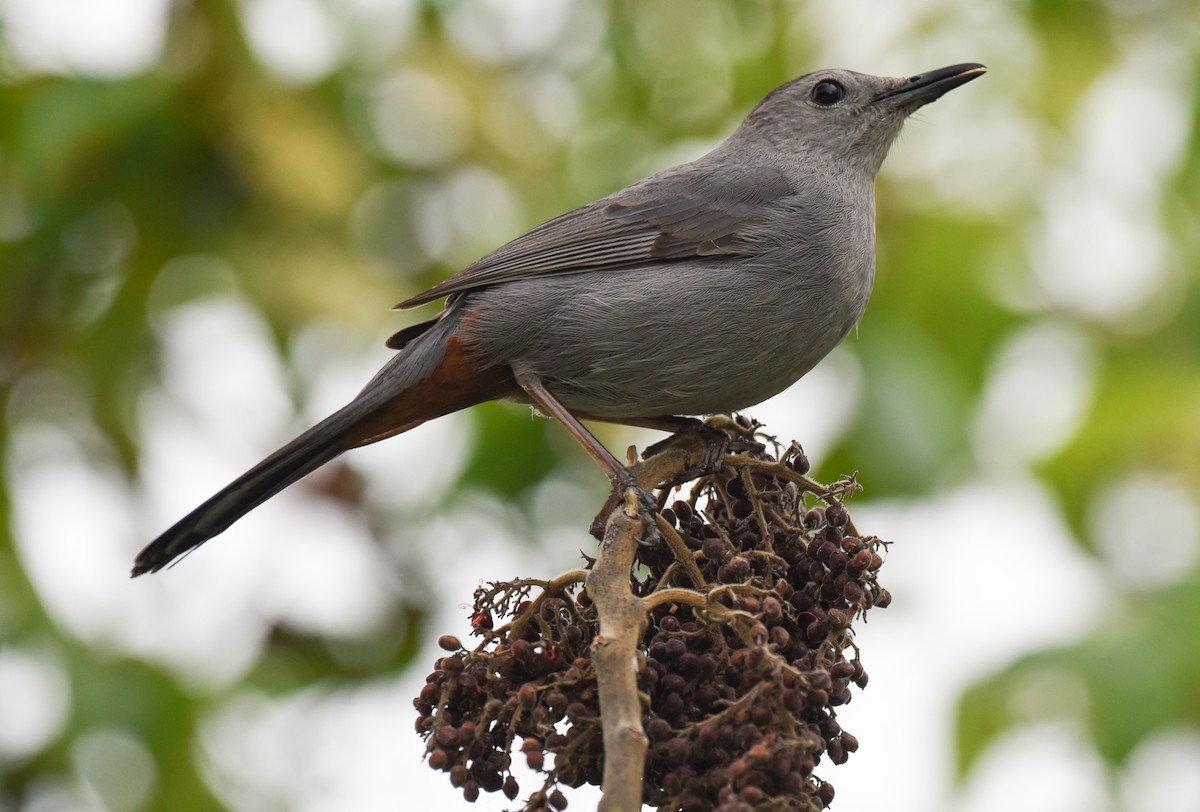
x=356 y=749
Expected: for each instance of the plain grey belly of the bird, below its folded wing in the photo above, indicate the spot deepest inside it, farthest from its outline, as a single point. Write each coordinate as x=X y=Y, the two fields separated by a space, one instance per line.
x=681 y=340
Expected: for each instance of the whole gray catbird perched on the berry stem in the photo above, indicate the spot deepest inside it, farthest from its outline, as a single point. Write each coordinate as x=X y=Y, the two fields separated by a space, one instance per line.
x=703 y=290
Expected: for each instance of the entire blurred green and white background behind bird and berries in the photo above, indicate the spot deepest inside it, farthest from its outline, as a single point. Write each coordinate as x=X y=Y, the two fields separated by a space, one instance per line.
x=208 y=207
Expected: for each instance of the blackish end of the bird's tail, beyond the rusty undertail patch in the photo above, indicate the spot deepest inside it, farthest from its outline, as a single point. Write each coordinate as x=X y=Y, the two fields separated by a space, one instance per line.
x=302 y=456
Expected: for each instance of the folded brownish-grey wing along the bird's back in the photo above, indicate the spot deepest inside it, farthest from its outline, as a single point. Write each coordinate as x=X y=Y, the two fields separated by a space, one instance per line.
x=685 y=213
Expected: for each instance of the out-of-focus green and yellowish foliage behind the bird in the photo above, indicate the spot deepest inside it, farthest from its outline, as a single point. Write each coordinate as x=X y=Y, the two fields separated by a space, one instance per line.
x=305 y=190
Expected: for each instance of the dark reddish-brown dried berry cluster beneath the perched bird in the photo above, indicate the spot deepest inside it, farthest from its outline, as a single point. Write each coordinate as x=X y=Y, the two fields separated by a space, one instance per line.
x=746 y=655
